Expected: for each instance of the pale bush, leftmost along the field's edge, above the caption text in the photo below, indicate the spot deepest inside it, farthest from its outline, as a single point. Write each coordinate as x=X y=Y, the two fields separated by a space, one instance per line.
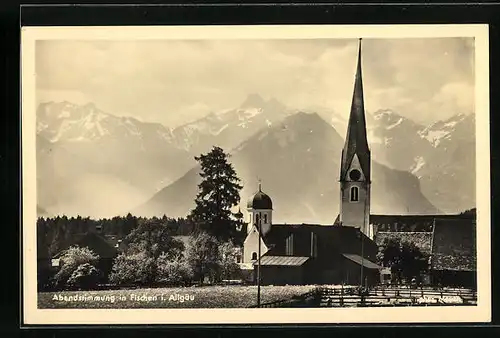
x=71 y=260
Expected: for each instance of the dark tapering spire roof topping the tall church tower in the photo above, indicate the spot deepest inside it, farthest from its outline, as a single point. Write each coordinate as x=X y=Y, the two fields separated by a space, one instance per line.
x=356 y=142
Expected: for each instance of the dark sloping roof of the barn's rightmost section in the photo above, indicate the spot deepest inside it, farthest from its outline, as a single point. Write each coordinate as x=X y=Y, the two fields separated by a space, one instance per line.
x=454 y=245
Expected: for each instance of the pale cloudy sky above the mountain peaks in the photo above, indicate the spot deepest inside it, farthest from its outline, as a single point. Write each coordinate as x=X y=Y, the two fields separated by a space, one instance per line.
x=177 y=81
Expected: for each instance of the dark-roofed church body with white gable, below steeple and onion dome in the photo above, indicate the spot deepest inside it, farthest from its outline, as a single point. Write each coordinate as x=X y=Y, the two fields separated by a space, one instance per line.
x=312 y=254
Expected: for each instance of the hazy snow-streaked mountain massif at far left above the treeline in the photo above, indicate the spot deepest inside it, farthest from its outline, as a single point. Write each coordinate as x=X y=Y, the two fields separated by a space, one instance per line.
x=95 y=163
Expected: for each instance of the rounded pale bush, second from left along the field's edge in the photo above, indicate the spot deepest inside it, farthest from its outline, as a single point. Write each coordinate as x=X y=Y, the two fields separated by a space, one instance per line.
x=134 y=269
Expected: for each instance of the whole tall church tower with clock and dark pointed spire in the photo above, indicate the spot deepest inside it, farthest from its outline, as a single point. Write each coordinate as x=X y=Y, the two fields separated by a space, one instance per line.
x=355 y=168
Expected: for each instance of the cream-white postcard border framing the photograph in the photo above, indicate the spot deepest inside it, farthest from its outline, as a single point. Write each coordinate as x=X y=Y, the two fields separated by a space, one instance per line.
x=479 y=313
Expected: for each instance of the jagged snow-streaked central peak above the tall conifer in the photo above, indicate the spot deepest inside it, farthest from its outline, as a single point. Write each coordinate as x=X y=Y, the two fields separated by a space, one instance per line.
x=228 y=128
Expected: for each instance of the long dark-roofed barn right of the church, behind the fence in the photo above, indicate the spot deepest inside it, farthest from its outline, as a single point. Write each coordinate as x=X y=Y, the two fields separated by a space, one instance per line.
x=448 y=241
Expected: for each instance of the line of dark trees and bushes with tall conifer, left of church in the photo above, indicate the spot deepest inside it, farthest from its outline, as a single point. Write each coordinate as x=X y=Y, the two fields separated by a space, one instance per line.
x=151 y=254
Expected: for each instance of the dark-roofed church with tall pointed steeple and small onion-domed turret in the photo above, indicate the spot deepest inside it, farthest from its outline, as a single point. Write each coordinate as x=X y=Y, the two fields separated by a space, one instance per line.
x=341 y=252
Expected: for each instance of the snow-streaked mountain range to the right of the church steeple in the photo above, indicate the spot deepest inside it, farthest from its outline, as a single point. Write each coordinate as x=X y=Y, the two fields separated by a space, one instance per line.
x=441 y=155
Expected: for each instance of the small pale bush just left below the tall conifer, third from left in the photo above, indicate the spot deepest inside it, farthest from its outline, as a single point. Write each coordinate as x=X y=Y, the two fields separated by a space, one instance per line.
x=174 y=271
